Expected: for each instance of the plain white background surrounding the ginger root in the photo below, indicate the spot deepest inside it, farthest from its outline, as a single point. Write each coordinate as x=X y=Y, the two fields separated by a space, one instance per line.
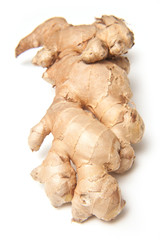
x=25 y=211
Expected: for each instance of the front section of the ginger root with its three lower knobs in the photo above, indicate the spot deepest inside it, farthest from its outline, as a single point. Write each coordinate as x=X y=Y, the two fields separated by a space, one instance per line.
x=96 y=192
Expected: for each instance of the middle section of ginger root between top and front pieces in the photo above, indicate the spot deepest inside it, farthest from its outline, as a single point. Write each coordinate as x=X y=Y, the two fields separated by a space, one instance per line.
x=109 y=103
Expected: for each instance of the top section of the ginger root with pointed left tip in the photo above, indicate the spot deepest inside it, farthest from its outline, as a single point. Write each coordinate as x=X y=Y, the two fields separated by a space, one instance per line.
x=108 y=36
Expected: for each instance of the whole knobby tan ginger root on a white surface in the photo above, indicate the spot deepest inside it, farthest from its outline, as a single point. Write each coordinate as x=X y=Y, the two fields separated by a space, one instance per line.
x=91 y=118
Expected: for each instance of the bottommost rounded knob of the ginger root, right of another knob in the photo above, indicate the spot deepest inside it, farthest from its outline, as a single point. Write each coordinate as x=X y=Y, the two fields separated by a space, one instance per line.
x=99 y=196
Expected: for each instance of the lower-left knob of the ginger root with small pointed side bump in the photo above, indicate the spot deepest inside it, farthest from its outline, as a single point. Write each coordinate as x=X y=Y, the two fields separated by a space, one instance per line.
x=57 y=175
